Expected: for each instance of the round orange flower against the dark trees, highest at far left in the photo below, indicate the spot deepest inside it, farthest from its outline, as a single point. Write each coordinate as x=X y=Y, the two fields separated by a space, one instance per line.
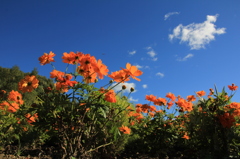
x=28 y=84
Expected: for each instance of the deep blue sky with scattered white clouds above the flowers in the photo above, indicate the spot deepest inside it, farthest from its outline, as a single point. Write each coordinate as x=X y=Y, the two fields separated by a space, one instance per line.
x=181 y=46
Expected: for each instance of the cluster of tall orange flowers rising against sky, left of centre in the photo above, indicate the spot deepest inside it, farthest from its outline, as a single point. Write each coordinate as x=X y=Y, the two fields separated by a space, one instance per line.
x=90 y=69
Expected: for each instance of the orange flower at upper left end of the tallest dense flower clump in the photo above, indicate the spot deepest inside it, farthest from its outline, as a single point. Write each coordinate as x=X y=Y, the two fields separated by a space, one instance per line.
x=71 y=58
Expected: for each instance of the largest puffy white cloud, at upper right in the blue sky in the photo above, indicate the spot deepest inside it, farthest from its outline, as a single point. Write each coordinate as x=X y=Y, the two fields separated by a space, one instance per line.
x=197 y=35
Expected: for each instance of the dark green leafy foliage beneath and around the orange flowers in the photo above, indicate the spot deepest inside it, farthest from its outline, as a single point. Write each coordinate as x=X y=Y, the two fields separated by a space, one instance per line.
x=82 y=124
